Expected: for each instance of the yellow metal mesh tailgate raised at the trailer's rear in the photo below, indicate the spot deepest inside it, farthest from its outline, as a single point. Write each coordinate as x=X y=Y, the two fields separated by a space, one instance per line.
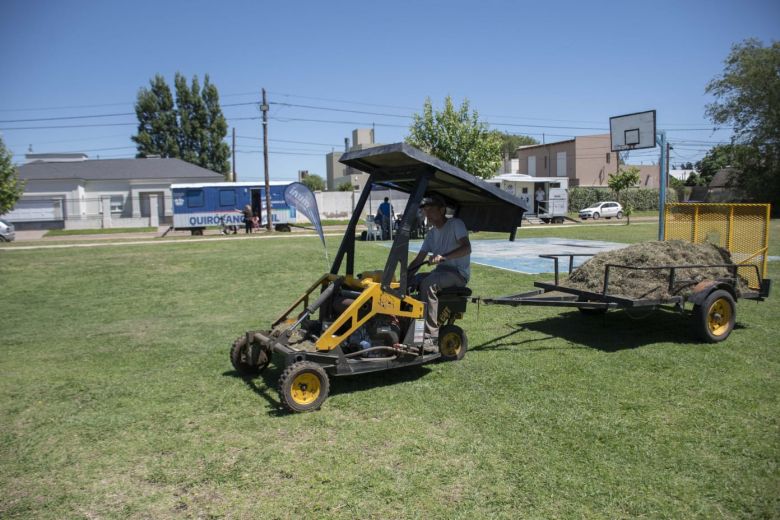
x=743 y=229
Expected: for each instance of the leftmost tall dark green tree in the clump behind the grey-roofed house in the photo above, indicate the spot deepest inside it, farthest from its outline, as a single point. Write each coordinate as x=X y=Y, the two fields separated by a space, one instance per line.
x=157 y=125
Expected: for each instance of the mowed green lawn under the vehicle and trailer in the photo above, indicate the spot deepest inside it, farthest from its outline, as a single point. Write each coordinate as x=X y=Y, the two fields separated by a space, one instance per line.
x=117 y=399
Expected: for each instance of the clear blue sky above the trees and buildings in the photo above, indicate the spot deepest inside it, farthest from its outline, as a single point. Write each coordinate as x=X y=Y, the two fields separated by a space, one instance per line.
x=551 y=70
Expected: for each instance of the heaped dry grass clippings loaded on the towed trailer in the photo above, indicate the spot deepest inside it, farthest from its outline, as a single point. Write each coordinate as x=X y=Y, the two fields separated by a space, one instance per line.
x=651 y=284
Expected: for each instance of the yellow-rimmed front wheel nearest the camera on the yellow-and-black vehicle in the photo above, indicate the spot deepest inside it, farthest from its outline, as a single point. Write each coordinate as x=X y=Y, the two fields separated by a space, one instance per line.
x=303 y=386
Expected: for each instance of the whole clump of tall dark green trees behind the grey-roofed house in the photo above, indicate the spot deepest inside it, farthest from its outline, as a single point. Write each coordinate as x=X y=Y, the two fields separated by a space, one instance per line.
x=193 y=131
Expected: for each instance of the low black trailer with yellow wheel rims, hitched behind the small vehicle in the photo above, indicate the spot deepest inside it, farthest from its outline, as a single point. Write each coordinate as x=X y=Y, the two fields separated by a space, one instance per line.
x=711 y=304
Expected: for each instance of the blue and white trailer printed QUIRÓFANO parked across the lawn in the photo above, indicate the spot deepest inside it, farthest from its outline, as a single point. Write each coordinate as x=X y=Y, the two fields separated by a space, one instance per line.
x=200 y=205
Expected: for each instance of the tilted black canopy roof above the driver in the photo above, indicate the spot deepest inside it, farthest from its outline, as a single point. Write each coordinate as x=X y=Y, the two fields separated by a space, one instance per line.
x=481 y=206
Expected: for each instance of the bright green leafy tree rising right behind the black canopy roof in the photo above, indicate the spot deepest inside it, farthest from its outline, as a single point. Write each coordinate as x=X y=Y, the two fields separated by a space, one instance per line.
x=457 y=137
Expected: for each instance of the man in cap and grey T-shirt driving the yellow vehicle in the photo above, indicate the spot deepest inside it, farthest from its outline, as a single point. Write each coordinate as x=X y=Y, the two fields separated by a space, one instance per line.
x=448 y=244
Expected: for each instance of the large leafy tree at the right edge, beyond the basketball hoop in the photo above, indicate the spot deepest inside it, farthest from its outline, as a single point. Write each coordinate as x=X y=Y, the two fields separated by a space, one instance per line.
x=747 y=96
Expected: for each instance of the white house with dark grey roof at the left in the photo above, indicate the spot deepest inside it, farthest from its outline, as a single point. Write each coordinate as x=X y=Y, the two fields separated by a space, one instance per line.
x=71 y=192
